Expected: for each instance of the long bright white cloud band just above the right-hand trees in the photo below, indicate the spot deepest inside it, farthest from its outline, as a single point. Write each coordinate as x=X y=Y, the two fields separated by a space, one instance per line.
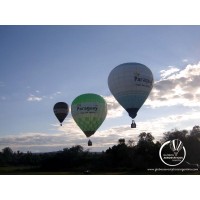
x=156 y=126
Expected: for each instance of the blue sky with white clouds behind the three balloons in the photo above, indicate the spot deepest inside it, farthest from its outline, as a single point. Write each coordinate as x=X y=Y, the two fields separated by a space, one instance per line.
x=42 y=65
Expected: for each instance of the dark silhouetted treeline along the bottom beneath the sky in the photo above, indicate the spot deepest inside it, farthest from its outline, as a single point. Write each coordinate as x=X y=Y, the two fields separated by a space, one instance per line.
x=125 y=156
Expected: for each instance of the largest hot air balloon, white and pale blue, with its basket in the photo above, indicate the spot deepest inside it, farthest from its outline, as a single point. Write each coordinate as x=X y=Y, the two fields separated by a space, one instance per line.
x=130 y=84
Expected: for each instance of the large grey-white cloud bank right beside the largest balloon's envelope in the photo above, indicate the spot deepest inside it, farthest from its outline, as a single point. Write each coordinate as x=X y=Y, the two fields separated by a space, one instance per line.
x=177 y=87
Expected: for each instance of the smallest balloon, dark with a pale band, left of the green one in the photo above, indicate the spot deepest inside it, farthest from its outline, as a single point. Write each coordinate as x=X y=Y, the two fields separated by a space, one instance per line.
x=61 y=110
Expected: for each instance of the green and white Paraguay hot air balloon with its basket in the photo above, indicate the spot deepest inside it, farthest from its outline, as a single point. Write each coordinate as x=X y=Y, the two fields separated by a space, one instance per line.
x=89 y=111
